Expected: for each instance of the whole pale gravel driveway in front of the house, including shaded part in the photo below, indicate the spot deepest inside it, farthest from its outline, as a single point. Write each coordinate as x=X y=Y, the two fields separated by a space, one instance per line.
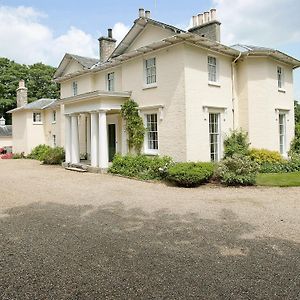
x=66 y=235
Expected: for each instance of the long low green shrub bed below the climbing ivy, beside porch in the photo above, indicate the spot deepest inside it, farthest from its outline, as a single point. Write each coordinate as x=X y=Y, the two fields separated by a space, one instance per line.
x=140 y=166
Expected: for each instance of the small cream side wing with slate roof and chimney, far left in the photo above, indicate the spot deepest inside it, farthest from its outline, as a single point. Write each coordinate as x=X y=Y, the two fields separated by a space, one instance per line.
x=34 y=123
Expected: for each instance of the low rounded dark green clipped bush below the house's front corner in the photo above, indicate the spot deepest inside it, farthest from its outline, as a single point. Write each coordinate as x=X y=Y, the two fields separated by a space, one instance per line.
x=190 y=174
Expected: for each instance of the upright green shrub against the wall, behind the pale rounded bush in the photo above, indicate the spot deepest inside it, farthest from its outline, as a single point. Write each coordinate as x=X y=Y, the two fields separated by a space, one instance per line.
x=236 y=143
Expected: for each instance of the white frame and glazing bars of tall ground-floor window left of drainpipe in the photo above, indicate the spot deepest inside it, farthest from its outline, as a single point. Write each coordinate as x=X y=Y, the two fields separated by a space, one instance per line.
x=216 y=155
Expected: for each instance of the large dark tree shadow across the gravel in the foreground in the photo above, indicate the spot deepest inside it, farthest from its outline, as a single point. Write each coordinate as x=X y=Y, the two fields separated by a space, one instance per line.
x=52 y=251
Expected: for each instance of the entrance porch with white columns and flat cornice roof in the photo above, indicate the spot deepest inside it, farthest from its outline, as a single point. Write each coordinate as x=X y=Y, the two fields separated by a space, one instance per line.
x=94 y=129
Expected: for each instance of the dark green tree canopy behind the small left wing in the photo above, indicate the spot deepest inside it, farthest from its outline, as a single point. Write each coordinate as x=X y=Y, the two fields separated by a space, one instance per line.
x=38 y=79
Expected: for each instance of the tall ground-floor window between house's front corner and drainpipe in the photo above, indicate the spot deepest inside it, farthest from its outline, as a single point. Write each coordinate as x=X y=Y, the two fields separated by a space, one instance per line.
x=214 y=136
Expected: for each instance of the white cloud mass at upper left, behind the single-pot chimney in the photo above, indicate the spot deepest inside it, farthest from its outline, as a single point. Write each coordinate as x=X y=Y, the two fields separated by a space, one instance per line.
x=25 y=39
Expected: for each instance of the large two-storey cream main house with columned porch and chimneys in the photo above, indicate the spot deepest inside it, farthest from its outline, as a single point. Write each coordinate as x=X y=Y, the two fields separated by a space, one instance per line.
x=191 y=91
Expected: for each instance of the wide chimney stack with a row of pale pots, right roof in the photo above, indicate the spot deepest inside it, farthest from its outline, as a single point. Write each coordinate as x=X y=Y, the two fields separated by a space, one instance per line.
x=207 y=26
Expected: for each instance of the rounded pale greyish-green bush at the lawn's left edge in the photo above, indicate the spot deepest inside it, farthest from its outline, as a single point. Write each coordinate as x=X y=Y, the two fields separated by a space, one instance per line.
x=237 y=170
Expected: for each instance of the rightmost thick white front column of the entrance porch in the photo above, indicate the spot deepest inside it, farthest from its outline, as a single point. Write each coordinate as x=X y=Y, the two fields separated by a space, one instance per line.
x=103 y=141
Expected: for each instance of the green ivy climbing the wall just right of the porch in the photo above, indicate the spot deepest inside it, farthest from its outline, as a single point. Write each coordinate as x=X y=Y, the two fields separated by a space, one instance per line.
x=134 y=125
